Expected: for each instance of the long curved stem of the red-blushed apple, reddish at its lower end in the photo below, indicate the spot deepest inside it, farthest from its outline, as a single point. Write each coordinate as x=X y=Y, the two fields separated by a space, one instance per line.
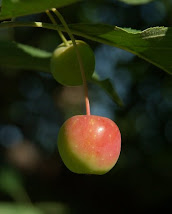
x=87 y=103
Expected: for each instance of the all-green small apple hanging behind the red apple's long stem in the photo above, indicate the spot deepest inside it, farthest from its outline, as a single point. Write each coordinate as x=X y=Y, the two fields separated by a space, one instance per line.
x=64 y=63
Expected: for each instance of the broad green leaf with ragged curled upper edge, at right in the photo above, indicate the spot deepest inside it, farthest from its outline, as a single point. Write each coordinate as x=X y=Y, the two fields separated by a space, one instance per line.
x=153 y=44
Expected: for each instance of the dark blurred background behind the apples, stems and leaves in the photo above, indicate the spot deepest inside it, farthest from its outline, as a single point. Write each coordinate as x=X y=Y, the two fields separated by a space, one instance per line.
x=33 y=106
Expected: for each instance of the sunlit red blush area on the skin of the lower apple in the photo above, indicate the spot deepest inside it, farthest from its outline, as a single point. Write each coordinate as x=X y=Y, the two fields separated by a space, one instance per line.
x=94 y=139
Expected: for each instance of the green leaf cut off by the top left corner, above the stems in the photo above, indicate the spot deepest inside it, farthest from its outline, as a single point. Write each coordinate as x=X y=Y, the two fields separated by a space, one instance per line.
x=15 y=8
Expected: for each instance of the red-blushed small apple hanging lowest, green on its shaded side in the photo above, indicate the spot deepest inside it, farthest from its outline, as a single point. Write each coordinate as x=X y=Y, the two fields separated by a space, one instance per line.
x=89 y=144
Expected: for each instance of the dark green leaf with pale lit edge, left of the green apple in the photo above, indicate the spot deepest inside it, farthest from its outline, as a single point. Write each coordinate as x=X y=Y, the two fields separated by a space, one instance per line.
x=21 y=56
